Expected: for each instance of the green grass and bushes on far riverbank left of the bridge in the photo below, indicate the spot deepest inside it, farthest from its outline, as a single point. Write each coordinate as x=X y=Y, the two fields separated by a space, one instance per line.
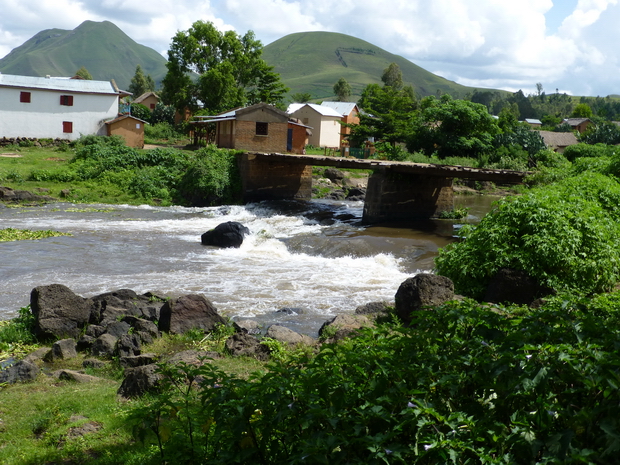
x=103 y=170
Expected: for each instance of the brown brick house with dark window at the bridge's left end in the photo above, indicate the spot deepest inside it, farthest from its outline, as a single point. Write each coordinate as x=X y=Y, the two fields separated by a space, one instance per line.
x=257 y=128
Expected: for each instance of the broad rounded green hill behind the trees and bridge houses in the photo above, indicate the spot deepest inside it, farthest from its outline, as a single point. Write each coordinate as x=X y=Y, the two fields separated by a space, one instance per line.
x=313 y=62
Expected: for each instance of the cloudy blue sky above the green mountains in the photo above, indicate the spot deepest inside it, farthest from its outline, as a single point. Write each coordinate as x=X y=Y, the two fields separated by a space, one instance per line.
x=569 y=45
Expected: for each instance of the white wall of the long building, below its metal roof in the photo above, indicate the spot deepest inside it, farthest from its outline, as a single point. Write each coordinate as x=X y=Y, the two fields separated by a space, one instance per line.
x=43 y=117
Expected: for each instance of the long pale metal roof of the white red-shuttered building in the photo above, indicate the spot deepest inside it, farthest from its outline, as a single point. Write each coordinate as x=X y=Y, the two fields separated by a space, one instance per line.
x=56 y=83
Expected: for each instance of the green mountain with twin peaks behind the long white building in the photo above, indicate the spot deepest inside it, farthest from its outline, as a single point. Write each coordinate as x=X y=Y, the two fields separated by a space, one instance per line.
x=101 y=47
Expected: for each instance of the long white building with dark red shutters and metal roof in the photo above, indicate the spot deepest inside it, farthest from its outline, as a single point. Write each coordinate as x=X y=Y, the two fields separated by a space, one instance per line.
x=48 y=107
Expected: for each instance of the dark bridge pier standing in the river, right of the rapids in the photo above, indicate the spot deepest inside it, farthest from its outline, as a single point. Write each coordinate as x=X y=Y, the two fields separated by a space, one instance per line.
x=400 y=197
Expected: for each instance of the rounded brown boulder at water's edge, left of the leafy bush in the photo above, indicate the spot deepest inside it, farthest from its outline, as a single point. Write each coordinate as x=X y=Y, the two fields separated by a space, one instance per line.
x=423 y=290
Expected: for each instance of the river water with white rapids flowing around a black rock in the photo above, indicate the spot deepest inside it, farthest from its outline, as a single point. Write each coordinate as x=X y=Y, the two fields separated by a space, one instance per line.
x=314 y=257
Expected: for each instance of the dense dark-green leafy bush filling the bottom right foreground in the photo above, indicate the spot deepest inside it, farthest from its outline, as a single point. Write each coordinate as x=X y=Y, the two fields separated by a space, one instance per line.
x=462 y=385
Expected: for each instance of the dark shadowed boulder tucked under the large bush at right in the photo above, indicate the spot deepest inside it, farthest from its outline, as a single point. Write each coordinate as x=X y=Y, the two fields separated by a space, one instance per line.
x=514 y=286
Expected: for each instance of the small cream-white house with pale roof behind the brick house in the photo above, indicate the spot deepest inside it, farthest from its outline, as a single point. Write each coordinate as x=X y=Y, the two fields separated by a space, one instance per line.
x=325 y=122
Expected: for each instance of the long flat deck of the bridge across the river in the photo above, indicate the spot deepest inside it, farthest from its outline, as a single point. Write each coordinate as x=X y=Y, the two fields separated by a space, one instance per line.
x=429 y=169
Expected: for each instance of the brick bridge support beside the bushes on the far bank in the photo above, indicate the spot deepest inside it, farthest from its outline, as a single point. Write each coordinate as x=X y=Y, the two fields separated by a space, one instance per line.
x=266 y=179
